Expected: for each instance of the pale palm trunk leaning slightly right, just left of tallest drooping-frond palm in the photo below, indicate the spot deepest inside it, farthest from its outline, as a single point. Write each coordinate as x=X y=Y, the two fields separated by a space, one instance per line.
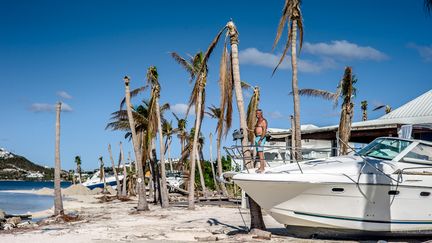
x=191 y=196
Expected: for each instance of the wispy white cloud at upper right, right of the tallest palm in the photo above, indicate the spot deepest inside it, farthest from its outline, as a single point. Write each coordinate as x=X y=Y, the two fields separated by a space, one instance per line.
x=344 y=49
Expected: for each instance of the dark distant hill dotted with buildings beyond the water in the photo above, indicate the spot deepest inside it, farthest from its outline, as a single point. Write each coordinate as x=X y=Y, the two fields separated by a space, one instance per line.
x=15 y=167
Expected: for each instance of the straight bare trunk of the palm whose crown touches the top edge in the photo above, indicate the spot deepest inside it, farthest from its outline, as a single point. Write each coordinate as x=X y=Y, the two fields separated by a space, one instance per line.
x=296 y=97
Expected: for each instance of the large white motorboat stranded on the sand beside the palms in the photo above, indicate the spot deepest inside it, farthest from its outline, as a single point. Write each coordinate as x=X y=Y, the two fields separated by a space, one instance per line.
x=385 y=188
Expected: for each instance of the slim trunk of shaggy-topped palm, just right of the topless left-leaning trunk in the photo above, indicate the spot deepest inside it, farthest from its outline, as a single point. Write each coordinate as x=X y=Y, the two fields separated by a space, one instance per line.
x=164 y=191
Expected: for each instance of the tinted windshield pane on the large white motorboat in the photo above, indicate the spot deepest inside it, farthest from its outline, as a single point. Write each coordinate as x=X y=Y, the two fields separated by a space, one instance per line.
x=384 y=148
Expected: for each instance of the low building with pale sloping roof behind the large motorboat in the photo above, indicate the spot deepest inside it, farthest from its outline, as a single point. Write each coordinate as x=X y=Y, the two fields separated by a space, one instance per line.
x=414 y=117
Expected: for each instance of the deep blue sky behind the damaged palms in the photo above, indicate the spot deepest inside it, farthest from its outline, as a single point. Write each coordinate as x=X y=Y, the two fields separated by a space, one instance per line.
x=78 y=51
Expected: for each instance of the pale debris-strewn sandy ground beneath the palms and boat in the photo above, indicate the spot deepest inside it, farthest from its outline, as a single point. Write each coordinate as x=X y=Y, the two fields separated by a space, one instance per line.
x=117 y=221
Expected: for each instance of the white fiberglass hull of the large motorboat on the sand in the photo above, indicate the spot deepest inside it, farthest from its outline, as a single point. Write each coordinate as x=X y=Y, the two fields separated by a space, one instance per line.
x=335 y=202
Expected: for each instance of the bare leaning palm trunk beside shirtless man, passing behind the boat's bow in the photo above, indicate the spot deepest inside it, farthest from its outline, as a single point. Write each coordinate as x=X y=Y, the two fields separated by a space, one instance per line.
x=255 y=210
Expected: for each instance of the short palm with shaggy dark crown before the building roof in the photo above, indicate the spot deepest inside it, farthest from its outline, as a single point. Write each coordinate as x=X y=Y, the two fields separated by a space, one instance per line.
x=346 y=91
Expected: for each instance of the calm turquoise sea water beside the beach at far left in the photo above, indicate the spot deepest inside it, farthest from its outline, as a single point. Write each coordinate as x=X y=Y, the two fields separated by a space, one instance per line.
x=22 y=203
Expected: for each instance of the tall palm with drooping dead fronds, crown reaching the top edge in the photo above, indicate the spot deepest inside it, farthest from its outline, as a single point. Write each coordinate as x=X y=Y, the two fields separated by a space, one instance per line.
x=292 y=18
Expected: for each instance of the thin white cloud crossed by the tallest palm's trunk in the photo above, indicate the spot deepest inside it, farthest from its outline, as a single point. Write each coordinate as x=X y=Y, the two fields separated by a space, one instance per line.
x=253 y=56
